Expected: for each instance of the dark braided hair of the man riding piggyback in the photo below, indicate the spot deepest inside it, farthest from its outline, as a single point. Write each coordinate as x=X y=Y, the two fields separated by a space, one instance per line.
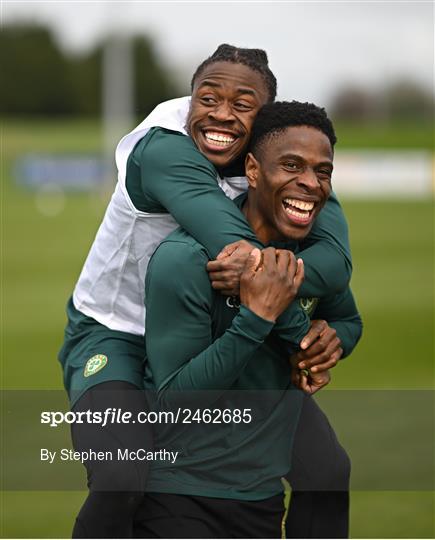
x=256 y=59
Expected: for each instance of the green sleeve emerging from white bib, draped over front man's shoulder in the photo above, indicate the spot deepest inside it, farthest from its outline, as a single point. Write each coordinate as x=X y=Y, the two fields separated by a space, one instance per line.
x=176 y=175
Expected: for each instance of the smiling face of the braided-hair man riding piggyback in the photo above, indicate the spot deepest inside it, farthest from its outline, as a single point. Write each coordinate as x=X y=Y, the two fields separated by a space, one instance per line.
x=225 y=100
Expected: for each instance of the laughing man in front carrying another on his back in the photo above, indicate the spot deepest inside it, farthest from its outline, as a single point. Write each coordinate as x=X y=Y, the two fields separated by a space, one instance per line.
x=207 y=353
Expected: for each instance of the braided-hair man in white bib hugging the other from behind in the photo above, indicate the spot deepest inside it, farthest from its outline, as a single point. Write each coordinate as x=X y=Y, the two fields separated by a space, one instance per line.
x=181 y=165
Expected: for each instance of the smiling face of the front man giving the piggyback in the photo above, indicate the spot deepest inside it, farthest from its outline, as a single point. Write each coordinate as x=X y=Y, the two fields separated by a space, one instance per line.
x=289 y=183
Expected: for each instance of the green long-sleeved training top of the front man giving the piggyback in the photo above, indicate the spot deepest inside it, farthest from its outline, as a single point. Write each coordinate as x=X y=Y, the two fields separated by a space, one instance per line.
x=203 y=352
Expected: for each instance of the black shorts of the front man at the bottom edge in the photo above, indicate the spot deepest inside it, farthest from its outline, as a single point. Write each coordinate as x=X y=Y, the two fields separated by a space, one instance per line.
x=164 y=515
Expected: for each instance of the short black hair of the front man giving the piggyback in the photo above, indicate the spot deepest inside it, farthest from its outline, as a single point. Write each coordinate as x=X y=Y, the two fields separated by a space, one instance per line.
x=274 y=118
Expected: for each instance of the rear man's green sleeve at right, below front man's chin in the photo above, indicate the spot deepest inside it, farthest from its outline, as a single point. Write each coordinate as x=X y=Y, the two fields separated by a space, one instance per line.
x=326 y=253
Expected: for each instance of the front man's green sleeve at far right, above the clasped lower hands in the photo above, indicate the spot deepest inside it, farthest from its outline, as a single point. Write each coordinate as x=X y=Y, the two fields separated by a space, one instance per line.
x=341 y=313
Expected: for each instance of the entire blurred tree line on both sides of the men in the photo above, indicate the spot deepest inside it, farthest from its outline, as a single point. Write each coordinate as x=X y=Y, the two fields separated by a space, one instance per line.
x=39 y=78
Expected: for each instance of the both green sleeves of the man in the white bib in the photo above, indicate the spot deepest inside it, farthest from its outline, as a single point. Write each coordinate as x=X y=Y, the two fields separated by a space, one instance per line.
x=167 y=173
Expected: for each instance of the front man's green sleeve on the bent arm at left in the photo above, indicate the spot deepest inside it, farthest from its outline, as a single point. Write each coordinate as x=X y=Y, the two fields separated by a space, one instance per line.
x=179 y=346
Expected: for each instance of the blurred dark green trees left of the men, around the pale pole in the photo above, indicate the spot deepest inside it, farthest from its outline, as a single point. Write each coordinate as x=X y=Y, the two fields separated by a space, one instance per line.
x=41 y=79
